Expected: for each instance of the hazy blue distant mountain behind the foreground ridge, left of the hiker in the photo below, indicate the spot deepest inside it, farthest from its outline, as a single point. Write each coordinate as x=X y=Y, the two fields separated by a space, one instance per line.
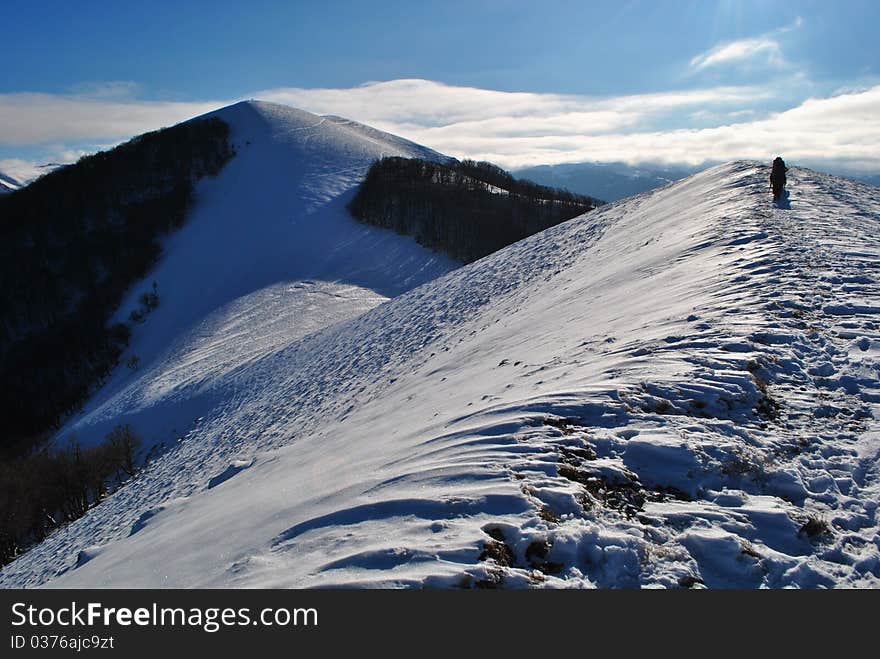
x=608 y=181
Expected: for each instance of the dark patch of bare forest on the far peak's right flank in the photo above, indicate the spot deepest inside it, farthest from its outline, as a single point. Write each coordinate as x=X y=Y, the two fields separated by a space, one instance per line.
x=466 y=209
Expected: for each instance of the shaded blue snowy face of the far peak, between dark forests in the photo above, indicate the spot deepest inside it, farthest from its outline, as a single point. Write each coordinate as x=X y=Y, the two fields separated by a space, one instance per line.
x=268 y=255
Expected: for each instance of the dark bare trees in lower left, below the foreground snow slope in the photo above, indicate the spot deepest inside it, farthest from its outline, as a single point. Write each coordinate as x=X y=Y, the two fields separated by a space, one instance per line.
x=51 y=487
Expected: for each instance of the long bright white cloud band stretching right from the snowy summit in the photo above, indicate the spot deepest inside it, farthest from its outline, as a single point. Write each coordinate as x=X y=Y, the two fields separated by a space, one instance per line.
x=515 y=129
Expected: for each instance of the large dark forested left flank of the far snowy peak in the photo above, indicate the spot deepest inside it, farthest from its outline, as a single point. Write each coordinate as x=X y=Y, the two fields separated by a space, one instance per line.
x=71 y=244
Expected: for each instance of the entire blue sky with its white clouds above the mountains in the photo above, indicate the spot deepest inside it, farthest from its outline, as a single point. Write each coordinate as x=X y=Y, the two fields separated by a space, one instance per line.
x=516 y=82
